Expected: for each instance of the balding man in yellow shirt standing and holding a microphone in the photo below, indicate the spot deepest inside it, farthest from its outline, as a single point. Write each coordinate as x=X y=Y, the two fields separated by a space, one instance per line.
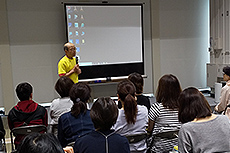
x=67 y=66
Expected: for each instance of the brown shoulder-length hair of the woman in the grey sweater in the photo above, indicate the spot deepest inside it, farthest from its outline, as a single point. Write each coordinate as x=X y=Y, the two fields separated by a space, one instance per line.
x=192 y=104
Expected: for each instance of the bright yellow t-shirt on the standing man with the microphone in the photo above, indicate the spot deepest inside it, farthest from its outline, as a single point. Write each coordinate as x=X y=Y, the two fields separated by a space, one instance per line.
x=65 y=65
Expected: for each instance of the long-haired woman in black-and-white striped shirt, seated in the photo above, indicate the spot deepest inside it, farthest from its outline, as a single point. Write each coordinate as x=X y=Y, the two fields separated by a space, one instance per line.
x=163 y=115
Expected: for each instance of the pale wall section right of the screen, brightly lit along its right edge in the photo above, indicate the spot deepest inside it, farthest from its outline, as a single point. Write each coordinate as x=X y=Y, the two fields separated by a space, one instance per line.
x=184 y=40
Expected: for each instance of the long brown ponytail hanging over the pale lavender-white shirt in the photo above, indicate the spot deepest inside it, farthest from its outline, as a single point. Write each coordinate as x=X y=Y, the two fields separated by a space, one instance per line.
x=130 y=108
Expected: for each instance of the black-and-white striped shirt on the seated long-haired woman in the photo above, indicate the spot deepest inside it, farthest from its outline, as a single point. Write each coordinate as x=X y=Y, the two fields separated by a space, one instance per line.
x=165 y=120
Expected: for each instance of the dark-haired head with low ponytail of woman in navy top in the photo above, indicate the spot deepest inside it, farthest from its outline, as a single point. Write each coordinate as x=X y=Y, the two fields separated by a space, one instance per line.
x=79 y=94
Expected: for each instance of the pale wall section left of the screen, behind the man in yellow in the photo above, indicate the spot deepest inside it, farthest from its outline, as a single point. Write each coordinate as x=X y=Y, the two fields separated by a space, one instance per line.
x=36 y=35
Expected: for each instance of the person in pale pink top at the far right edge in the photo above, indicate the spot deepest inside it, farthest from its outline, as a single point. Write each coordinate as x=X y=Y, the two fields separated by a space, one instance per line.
x=225 y=91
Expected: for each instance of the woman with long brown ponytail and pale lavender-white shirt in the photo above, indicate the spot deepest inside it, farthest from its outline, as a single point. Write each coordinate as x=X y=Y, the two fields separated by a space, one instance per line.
x=132 y=118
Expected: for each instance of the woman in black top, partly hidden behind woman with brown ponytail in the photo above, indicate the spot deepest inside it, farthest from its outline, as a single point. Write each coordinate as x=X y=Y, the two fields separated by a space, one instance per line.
x=138 y=81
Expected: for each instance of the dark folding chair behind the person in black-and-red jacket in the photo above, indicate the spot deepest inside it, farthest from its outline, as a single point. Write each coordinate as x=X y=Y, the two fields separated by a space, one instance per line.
x=25 y=130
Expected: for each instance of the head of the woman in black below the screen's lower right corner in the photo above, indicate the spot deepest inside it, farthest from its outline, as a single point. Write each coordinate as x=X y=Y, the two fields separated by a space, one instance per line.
x=138 y=81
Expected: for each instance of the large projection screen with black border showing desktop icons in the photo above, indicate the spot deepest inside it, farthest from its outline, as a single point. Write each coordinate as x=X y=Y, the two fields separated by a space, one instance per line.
x=108 y=38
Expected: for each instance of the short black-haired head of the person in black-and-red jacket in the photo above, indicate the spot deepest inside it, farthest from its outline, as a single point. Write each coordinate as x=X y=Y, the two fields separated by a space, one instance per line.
x=23 y=91
